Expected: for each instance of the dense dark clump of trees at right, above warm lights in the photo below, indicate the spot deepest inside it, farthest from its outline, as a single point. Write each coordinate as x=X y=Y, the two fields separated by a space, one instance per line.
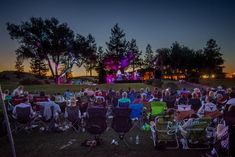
x=181 y=58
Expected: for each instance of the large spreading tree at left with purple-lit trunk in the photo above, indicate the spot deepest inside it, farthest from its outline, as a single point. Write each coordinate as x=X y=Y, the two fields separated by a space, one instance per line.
x=52 y=41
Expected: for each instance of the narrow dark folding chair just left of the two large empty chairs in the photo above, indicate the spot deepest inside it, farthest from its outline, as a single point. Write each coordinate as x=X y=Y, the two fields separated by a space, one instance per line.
x=73 y=115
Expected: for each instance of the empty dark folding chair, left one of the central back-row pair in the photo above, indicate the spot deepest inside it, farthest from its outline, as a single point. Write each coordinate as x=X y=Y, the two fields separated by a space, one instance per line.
x=96 y=122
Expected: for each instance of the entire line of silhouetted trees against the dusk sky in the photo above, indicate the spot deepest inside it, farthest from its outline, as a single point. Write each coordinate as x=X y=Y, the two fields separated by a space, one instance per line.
x=51 y=45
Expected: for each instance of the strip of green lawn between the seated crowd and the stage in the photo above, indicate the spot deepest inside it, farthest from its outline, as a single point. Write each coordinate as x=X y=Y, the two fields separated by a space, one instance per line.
x=52 y=88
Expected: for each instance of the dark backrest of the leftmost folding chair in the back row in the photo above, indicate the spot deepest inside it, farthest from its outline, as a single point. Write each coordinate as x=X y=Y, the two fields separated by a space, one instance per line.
x=23 y=114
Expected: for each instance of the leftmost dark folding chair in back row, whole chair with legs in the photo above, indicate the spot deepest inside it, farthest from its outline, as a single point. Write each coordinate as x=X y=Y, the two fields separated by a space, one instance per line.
x=23 y=119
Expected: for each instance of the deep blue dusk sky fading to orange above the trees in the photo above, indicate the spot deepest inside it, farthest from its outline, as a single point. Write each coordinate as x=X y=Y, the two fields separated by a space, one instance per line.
x=159 y=23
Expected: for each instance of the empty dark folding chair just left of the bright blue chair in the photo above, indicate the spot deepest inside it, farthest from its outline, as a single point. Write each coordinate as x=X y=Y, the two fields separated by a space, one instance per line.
x=121 y=122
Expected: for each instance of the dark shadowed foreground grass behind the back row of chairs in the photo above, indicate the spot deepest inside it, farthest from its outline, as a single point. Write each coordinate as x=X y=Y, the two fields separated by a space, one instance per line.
x=41 y=144
